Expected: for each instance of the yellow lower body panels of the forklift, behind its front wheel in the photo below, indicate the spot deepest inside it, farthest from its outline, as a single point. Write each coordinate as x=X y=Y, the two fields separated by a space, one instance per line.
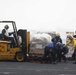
x=7 y=53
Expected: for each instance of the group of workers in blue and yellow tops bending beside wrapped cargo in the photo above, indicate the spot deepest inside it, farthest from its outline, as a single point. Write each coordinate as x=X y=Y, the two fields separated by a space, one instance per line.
x=55 y=51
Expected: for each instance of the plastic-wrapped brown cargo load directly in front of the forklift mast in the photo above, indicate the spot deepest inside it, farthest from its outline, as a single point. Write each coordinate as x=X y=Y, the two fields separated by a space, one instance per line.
x=38 y=42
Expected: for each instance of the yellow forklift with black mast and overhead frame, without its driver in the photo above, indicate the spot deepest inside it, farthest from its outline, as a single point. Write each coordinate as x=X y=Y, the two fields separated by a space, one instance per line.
x=10 y=52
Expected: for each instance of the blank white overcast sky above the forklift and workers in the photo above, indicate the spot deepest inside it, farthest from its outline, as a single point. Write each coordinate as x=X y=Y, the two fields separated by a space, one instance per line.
x=41 y=15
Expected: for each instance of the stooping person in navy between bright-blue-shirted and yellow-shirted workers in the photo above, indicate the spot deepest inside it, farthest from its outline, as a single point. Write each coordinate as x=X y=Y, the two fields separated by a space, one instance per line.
x=61 y=51
